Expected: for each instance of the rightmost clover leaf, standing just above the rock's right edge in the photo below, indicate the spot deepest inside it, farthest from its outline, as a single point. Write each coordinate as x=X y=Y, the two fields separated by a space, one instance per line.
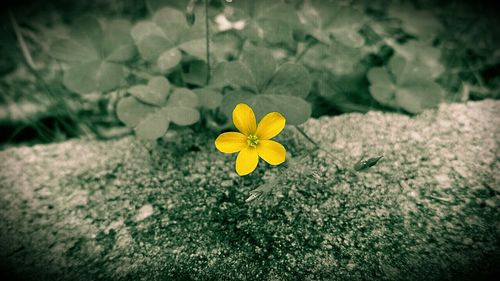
x=402 y=85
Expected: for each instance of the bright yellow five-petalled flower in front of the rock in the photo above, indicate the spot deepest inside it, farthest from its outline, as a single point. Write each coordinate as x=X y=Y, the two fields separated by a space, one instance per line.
x=253 y=140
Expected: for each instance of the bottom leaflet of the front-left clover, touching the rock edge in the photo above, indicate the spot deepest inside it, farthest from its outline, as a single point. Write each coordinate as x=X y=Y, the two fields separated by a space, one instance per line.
x=154 y=126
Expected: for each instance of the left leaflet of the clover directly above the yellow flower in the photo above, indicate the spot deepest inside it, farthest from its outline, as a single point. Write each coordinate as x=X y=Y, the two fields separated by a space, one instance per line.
x=234 y=74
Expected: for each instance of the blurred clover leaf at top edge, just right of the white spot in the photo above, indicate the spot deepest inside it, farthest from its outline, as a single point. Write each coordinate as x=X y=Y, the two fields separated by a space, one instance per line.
x=272 y=22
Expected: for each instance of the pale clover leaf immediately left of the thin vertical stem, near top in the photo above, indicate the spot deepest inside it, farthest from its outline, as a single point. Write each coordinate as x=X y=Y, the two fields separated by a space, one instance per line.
x=167 y=36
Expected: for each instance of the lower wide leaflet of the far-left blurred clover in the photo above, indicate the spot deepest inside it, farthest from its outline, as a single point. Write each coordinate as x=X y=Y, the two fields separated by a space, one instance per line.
x=93 y=76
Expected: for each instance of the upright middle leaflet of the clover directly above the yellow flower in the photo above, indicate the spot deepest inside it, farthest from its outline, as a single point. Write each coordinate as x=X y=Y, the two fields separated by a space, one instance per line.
x=261 y=64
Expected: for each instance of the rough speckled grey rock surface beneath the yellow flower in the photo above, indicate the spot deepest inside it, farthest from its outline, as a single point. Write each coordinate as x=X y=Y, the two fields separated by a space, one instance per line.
x=123 y=210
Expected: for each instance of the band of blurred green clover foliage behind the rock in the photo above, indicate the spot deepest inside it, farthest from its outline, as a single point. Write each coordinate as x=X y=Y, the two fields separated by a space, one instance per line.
x=145 y=62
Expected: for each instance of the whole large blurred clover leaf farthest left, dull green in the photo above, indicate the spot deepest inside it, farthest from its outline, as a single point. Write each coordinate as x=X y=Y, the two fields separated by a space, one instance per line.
x=95 y=53
